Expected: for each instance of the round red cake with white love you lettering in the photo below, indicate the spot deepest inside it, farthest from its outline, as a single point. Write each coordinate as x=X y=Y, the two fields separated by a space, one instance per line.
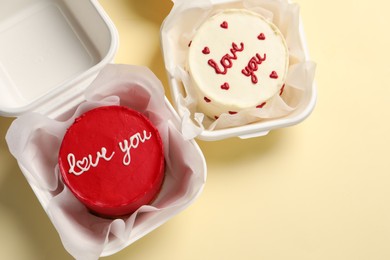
x=112 y=160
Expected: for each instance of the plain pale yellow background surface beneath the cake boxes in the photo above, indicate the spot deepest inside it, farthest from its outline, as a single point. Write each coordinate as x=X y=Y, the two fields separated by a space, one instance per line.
x=318 y=190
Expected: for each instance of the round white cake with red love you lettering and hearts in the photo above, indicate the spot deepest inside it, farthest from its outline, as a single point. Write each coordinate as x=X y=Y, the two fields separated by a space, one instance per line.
x=237 y=60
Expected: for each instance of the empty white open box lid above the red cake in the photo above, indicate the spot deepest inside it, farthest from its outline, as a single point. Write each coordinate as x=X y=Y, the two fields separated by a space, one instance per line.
x=49 y=53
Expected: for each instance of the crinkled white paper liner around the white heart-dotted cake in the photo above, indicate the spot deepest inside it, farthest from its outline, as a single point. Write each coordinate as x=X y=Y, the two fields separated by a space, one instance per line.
x=178 y=30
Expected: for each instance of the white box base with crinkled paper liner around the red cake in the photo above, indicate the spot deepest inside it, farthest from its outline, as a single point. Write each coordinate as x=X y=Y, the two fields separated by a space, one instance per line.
x=34 y=140
